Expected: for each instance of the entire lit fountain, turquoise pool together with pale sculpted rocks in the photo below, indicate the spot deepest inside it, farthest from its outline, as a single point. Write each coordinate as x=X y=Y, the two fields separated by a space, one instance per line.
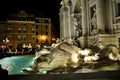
x=65 y=57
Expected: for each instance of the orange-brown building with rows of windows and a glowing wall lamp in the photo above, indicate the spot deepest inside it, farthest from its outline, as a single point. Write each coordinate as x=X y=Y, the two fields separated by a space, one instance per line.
x=22 y=28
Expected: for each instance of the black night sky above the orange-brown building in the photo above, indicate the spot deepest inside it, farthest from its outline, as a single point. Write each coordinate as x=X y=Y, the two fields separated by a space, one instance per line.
x=48 y=7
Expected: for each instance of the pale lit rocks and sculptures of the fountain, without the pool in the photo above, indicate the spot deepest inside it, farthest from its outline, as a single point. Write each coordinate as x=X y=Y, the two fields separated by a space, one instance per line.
x=67 y=57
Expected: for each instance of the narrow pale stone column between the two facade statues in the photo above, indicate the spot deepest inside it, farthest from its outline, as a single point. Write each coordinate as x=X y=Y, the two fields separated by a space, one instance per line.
x=84 y=17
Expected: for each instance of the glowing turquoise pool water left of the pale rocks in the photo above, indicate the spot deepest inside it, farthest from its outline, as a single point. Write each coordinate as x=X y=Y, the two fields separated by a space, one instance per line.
x=15 y=64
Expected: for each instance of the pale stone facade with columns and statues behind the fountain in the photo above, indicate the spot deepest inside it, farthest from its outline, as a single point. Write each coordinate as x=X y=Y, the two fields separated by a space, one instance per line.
x=84 y=19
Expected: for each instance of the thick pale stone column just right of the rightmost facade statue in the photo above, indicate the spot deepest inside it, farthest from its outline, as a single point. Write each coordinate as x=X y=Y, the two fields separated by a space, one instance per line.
x=100 y=11
